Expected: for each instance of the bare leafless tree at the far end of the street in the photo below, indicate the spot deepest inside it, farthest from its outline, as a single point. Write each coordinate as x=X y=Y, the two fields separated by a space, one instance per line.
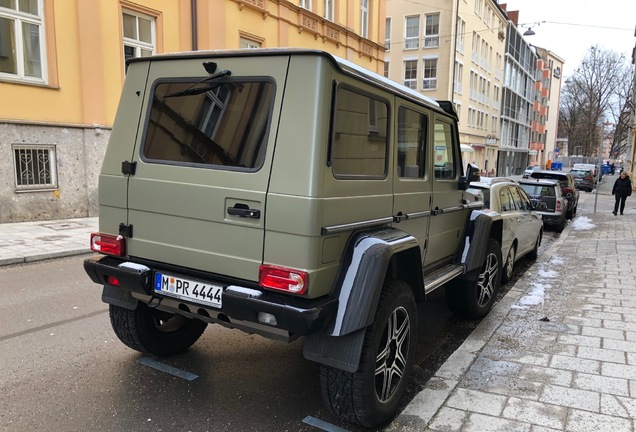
x=598 y=91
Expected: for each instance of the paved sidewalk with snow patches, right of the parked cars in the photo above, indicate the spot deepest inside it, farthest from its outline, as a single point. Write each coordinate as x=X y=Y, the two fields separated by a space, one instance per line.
x=558 y=352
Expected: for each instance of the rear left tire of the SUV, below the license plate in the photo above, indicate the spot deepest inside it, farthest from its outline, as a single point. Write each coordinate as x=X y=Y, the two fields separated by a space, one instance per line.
x=154 y=332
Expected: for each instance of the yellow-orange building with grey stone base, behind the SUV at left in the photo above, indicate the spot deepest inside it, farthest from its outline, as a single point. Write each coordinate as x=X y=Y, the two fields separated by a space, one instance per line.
x=62 y=67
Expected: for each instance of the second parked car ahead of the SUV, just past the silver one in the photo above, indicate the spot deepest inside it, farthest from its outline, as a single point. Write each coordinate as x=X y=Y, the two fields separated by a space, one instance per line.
x=549 y=192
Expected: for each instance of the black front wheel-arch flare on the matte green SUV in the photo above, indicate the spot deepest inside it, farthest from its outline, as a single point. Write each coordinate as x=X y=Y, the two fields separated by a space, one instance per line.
x=482 y=225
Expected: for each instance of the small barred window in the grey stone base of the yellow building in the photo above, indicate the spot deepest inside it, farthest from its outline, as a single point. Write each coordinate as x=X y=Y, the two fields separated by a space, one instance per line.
x=35 y=167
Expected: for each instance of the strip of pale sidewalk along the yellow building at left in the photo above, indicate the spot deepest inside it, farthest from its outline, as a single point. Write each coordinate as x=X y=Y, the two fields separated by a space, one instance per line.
x=35 y=241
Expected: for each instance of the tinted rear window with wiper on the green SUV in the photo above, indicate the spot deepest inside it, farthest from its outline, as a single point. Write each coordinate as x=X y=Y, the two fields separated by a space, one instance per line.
x=211 y=123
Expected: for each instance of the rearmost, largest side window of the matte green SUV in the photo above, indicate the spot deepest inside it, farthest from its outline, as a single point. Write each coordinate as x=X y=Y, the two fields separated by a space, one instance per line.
x=360 y=136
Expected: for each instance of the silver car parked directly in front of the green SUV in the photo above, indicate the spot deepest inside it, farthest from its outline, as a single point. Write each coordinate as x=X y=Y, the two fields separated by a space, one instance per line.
x=522 y=224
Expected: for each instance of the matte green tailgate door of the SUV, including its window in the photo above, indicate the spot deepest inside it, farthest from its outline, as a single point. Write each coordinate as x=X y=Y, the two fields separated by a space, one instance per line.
x=203 y=158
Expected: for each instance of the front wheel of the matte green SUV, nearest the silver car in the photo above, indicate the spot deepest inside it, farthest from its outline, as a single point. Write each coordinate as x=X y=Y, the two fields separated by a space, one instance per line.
x=473 y=295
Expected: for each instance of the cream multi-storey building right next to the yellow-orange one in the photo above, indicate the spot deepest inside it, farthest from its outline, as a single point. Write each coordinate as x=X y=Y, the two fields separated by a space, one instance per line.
x=453 y=50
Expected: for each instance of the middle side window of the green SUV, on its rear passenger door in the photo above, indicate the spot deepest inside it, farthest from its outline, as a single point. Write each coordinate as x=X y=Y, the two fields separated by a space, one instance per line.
x=412 y=129
